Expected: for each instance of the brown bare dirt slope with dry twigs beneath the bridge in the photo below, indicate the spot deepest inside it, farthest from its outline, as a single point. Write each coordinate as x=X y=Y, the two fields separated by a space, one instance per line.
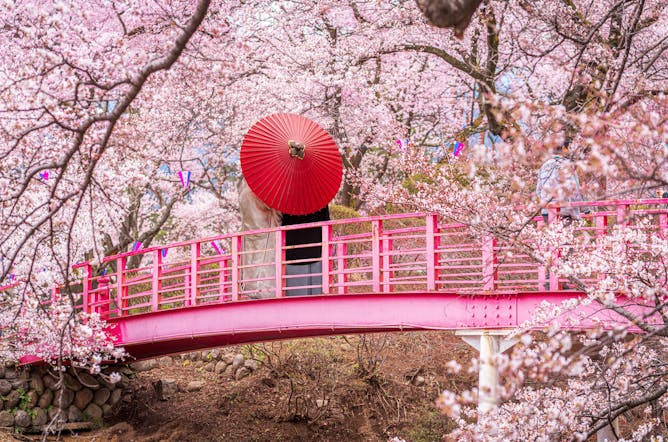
x=353 y=388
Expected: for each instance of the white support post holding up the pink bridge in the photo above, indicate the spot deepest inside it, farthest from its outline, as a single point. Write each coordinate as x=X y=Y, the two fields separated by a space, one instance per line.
x=489 y=343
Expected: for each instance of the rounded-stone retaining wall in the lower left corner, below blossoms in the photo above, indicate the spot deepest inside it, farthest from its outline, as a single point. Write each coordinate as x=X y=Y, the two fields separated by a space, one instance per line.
x=32 y=398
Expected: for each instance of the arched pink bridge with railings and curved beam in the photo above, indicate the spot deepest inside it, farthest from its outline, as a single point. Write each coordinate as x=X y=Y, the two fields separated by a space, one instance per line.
x=387 y=273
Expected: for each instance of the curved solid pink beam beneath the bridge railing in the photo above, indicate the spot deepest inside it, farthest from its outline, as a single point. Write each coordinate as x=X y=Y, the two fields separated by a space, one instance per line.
x=194 y=328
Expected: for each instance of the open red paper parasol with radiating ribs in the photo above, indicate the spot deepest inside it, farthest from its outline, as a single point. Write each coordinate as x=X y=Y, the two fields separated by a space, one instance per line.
x=291 y=163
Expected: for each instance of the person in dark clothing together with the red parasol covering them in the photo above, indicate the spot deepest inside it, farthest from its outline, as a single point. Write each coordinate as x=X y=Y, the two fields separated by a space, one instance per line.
x=294 y=166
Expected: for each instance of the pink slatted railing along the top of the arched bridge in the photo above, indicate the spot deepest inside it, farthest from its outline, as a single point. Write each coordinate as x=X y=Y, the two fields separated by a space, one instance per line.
x=383 y=254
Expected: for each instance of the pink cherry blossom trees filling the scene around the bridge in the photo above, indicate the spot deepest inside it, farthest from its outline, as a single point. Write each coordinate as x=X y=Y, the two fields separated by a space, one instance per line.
x=101 y=107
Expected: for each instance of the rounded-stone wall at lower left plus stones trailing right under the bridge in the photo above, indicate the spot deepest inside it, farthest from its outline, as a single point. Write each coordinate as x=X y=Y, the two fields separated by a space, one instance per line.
x=32 y=399
